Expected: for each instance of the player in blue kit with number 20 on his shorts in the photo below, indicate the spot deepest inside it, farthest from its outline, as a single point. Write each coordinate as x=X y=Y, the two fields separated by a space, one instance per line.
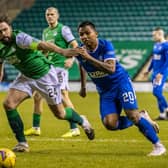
x=97 y=58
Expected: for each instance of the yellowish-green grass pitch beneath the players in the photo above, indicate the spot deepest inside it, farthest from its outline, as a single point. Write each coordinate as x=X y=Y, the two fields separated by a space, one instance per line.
x=117 y=149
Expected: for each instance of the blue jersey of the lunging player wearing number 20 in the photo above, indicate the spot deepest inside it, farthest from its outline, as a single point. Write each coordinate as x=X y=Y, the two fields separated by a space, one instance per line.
x=103 y=81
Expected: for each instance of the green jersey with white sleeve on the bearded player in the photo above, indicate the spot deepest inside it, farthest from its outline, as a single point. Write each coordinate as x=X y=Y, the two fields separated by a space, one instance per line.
x=19 y=52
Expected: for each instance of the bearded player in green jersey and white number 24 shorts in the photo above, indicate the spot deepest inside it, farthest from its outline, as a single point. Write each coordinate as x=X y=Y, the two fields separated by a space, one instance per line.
x=37 y=74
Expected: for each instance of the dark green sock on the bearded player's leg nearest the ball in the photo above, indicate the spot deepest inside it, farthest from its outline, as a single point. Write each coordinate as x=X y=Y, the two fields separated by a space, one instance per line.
x=16 y=124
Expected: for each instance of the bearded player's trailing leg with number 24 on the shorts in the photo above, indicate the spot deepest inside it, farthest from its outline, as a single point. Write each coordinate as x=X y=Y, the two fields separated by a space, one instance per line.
x=52 y=93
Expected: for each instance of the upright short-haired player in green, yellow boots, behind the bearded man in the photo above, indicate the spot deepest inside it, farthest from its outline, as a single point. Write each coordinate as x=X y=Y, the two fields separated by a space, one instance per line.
x=61 y=35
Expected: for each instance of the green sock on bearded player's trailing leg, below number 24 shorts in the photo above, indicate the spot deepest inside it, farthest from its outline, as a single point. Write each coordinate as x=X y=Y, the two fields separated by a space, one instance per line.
x=72 y=116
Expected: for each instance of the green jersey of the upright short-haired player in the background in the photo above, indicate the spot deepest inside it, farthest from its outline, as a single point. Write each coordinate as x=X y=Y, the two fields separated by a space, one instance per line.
x=61 y=36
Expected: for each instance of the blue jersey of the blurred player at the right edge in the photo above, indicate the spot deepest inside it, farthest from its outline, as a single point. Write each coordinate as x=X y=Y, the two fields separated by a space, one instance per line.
x=159 y=62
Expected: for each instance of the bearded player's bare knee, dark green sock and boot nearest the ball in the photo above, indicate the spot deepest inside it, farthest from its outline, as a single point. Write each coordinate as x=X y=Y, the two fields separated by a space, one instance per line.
x=14 y=98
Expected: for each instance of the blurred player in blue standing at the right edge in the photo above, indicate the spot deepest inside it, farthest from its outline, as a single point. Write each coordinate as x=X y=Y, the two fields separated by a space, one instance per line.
x=159 y=68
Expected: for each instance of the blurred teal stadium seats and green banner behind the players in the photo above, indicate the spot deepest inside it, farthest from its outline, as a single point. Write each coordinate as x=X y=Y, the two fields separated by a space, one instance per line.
x=128 y=24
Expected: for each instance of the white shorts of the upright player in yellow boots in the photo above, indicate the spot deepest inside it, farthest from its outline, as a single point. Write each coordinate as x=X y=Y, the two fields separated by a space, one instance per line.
x=63 y=77
